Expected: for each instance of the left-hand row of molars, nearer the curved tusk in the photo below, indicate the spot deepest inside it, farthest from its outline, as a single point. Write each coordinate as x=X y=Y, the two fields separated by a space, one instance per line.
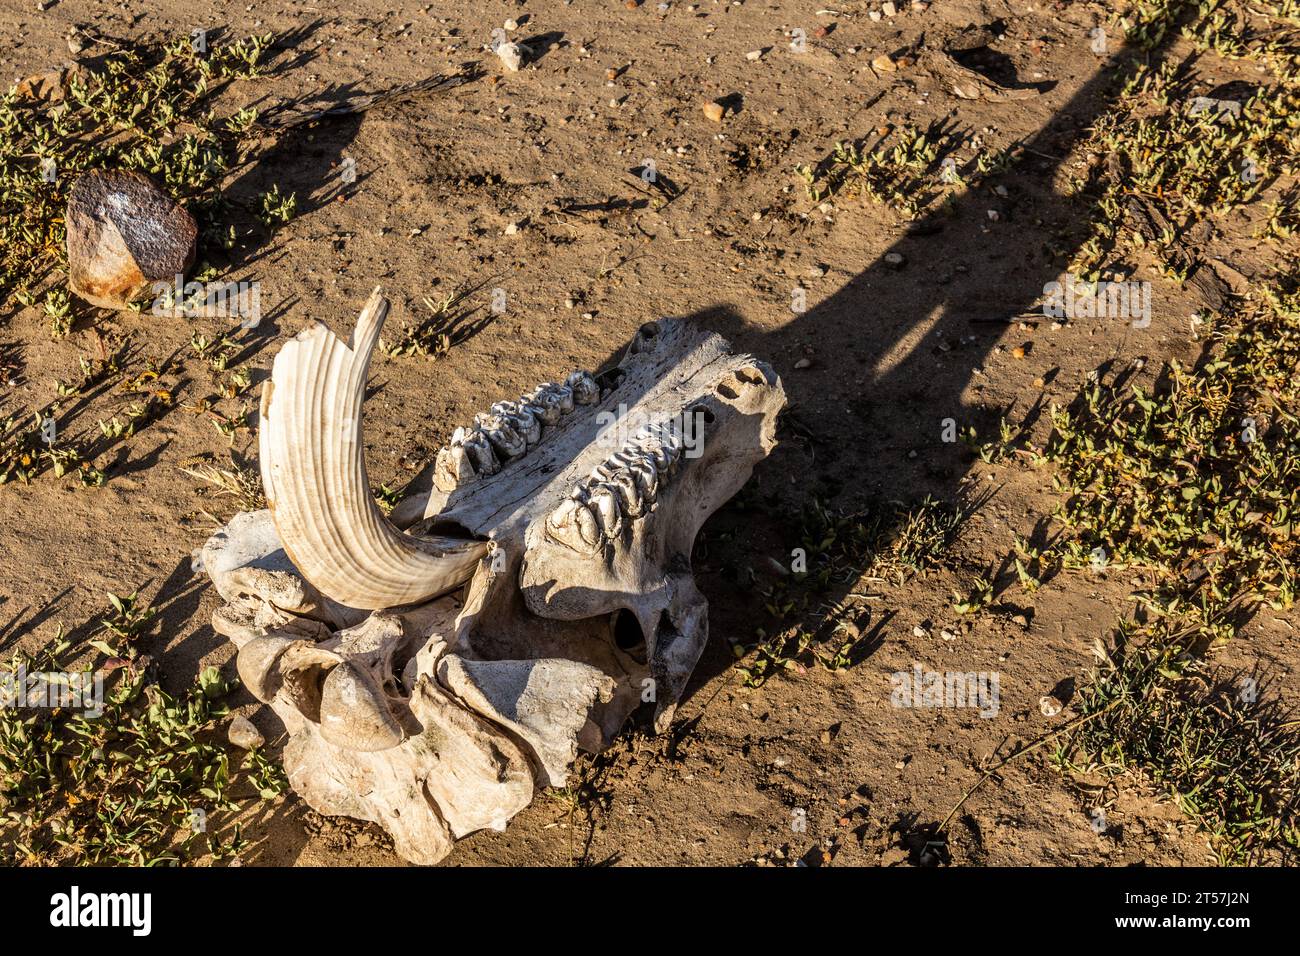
x=509 y=430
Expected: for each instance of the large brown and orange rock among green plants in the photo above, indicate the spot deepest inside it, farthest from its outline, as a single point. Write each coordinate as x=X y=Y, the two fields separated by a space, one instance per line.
x=124 y=235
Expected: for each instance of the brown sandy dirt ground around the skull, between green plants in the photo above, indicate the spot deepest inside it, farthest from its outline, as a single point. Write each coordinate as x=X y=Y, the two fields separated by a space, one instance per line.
x=530 y=183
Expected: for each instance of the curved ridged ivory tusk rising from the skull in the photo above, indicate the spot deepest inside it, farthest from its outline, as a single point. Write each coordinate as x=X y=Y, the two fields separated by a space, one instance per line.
x=314 y=473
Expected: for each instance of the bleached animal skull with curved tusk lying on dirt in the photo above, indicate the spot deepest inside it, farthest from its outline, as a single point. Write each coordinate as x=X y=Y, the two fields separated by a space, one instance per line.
x=436 y=668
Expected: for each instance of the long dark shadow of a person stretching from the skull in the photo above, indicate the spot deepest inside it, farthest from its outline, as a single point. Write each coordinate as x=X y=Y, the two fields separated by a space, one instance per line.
x=907 y=345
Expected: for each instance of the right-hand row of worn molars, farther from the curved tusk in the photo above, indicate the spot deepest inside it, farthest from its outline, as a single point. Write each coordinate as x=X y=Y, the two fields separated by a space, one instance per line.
x=621 y=490
